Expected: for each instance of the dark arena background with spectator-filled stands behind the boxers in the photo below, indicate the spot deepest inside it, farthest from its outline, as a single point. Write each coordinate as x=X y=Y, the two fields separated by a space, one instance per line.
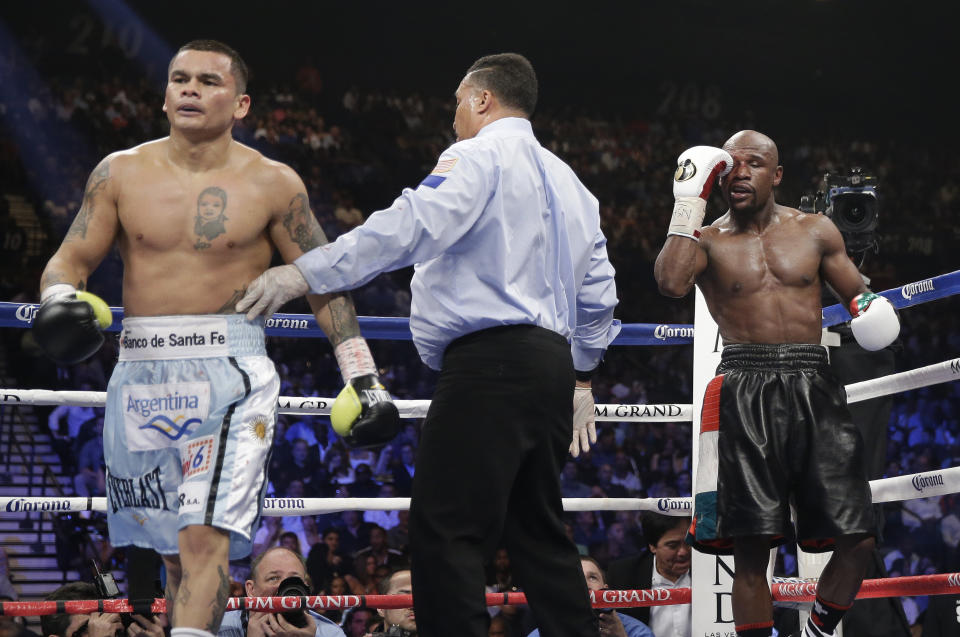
x=358 y=99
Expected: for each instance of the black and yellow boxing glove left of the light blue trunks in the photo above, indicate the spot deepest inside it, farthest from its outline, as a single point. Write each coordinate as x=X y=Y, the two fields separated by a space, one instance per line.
x=68 y=323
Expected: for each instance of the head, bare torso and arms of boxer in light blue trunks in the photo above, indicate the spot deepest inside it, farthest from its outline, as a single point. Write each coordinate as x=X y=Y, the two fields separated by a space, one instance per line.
x=196 y=215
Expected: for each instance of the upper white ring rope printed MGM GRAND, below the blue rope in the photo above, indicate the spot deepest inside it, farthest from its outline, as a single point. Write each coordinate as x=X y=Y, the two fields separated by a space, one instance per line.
x=937 y=373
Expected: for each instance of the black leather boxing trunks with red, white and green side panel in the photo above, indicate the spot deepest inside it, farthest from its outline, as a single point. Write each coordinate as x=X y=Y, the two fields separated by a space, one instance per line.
x=775 y=430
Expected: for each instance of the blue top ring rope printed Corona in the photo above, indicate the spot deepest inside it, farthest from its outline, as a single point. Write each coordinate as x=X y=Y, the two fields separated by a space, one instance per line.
x=398 y=328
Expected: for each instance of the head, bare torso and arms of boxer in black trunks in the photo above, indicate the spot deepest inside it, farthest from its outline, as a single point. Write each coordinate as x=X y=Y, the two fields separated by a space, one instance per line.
x=761 y=265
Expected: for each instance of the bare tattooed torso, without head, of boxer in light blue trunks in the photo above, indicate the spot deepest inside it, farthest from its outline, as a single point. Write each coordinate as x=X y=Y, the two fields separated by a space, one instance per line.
x=192 y=240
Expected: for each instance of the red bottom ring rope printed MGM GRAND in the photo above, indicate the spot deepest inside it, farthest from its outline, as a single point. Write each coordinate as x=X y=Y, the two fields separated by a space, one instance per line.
x=782 y=590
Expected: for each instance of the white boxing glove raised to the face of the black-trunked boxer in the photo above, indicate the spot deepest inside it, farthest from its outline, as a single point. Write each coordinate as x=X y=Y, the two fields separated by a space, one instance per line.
x=697 y=171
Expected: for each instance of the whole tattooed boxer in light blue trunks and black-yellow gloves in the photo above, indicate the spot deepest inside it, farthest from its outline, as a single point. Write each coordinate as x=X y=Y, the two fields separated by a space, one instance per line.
x=195 y=217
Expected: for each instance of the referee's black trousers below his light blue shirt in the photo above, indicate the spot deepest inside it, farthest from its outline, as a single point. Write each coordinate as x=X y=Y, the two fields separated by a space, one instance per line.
x=494 y=440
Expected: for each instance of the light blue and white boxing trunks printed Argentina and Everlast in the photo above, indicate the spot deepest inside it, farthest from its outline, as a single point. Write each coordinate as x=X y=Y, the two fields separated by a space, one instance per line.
x=191 y=409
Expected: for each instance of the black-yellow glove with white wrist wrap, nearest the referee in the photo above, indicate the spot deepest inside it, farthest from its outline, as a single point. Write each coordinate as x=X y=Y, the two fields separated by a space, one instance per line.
x=364 y=413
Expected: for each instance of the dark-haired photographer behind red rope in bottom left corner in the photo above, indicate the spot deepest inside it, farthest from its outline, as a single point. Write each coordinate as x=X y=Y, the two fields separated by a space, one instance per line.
x=96 y=624
